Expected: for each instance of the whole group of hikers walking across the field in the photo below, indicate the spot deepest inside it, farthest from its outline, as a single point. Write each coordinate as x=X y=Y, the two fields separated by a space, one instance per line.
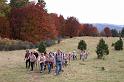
x=52 y=60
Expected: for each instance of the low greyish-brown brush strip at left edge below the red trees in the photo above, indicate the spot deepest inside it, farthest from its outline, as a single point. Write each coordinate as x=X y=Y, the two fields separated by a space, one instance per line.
x=9 y=45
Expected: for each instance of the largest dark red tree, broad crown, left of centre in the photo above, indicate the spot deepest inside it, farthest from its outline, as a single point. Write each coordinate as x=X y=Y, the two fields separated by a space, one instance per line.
x=31 y=23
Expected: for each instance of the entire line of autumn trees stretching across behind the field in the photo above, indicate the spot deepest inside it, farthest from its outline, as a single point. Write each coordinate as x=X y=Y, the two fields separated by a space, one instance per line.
x=29 y=21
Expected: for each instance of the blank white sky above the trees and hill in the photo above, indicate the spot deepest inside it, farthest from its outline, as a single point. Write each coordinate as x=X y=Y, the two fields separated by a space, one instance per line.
x=89 y=11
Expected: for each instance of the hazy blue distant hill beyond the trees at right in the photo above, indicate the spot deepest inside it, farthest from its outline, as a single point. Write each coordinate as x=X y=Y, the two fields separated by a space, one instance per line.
x=101 y=26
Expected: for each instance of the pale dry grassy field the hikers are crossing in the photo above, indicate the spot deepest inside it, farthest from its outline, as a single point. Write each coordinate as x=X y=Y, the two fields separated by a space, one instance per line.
x=12 y=66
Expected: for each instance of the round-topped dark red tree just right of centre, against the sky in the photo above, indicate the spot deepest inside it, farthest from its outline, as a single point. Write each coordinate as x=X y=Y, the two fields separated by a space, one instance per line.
x=71 y=27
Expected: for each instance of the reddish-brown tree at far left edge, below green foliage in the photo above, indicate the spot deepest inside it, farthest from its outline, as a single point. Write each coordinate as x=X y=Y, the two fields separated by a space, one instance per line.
x=4 y=28
